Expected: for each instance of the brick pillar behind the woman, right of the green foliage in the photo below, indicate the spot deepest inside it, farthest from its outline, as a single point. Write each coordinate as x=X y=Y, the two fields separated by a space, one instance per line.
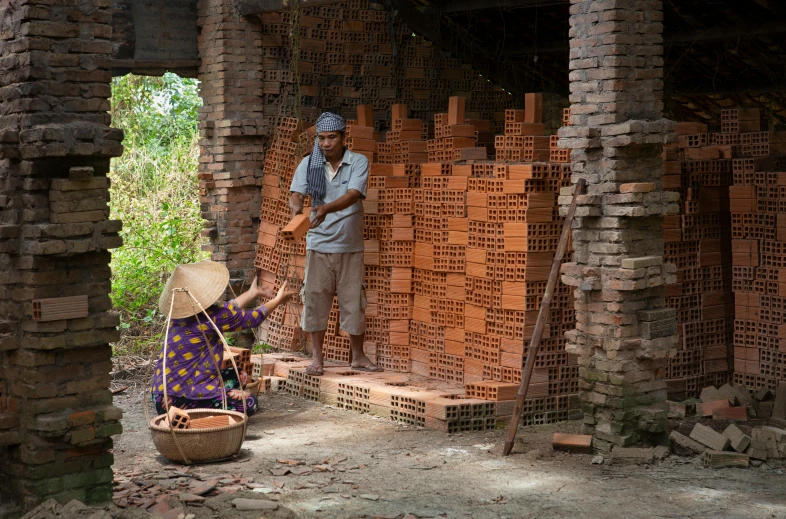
x=232 y=130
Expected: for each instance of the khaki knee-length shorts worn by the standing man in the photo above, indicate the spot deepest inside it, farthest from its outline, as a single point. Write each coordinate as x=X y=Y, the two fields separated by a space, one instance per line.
x=327 y=275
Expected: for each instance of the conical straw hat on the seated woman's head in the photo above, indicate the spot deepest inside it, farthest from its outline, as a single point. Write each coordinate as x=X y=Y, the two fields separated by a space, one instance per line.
x=206 y=281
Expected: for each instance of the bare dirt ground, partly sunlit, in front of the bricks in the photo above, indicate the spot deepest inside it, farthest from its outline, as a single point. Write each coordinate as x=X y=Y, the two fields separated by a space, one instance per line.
x=393 y=470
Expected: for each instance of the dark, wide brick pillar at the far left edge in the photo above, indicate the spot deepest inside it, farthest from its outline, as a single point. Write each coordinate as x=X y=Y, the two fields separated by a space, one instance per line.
x=56 y=412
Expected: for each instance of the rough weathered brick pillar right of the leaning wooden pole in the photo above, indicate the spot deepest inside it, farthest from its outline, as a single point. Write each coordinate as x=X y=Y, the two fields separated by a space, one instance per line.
x=623 y=331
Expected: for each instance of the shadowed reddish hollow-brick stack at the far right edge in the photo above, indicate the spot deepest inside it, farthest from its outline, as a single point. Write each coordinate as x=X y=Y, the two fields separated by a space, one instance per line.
x=758 y=234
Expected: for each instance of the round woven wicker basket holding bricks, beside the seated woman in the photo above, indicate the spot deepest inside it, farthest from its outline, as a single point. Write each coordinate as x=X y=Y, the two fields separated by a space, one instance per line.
x=212 y=444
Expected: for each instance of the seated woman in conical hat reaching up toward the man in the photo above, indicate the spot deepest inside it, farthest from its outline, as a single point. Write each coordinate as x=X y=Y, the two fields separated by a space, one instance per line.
x=191 y=373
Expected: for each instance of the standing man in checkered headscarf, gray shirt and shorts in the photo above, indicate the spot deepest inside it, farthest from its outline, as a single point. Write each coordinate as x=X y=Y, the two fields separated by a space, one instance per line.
x=336 y=180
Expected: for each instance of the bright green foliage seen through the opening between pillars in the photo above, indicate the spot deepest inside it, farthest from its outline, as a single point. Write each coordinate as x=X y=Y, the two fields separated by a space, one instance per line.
x=155 y=192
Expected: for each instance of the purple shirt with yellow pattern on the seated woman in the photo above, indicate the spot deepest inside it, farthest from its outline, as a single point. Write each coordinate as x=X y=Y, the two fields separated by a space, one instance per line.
x=191 y=373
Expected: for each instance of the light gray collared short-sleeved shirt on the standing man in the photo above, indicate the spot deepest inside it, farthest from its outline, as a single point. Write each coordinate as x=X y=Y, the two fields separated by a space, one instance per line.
x=341 y=231
